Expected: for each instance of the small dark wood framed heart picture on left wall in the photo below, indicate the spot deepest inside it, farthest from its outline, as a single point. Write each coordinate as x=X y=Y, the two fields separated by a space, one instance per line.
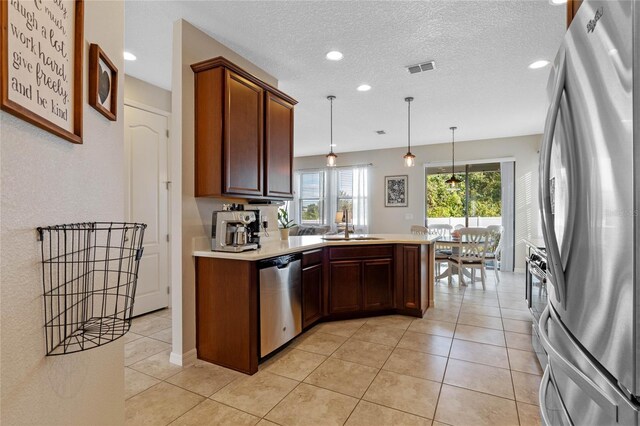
x=103 y=83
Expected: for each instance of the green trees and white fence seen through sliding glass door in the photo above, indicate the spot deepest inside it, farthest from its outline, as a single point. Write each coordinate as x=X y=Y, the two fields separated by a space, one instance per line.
x=477 y=201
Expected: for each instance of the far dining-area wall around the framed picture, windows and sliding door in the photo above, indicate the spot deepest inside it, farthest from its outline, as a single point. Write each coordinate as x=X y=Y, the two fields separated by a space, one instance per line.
x=388 y=162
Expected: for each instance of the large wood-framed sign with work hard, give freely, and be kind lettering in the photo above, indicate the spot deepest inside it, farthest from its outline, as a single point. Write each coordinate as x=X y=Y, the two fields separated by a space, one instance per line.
x=42 y=44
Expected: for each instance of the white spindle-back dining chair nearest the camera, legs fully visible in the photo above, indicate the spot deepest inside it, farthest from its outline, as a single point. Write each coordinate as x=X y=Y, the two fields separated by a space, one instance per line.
x=471 y=255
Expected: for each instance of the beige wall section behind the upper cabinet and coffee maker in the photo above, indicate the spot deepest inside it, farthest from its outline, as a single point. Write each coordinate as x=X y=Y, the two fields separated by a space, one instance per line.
x=191 y=217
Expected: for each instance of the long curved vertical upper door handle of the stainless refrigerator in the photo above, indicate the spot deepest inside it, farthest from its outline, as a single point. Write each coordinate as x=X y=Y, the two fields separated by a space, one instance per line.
x=548 y=228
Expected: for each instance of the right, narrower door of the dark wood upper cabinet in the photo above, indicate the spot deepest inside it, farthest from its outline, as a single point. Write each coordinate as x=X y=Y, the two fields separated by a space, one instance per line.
x=278 y=147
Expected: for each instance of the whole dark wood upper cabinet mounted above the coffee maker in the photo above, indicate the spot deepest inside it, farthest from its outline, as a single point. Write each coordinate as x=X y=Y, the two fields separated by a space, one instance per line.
x=243 y=134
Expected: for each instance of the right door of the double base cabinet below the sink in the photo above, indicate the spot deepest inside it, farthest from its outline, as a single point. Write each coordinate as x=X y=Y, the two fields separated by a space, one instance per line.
x=377 y=284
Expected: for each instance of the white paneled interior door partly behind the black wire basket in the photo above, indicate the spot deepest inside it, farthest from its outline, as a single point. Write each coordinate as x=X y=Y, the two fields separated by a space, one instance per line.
x=146 y=147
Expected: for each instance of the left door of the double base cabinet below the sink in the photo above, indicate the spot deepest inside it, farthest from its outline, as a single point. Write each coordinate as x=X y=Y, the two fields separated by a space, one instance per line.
x=344 y=286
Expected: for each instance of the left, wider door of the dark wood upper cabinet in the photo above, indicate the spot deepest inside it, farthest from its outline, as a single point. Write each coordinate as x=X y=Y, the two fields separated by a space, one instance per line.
x=243 y=136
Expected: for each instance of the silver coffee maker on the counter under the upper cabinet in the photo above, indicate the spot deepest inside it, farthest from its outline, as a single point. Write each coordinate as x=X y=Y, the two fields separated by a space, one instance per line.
x=235 y=231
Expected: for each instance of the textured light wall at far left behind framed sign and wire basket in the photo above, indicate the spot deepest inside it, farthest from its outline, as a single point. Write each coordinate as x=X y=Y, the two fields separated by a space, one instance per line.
x=46 y=181
